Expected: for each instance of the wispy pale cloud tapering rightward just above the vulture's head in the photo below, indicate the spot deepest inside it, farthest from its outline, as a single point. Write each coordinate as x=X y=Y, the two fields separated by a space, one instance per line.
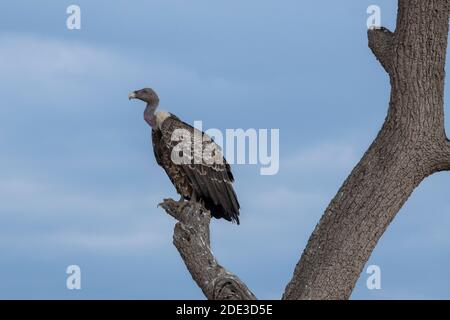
x=52 y=68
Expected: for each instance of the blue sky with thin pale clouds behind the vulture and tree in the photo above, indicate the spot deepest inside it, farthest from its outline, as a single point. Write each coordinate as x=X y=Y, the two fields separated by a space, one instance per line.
x=79 y=184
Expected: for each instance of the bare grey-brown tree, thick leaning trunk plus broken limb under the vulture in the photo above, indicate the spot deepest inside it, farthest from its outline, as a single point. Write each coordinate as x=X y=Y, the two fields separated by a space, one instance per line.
x=411 y=146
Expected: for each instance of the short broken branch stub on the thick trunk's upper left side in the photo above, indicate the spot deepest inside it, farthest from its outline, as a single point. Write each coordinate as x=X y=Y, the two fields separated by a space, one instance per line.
x=381 y=44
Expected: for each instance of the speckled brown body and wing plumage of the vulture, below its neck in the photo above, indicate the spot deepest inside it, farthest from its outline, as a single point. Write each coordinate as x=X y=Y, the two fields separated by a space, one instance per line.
x=211 y=182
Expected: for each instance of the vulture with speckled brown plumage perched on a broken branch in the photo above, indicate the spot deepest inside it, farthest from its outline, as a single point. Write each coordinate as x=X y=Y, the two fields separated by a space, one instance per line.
x=199 y=179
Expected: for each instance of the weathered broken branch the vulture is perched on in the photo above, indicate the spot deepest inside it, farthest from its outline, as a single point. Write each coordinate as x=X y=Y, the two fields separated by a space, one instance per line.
x=192 y=239
